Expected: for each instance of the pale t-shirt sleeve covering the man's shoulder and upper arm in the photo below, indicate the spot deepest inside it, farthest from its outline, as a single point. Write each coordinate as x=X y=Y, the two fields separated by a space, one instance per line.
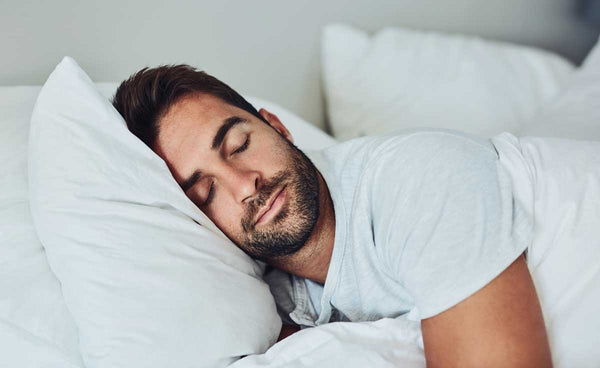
x=444 y=219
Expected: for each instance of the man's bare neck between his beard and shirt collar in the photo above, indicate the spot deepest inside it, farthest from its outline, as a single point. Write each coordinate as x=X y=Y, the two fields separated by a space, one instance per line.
x=312 y=260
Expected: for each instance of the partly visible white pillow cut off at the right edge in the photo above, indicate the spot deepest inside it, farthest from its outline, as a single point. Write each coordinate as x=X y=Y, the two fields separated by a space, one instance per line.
x=575 y=113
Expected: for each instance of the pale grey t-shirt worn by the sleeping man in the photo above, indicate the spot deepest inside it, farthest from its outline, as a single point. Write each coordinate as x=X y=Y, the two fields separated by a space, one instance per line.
x=424 y=219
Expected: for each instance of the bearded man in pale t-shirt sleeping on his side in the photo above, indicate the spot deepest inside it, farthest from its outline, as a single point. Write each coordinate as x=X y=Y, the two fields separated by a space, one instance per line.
x=421 y=222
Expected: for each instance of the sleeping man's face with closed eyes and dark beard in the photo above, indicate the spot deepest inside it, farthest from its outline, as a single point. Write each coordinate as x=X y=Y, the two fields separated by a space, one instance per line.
x=245 y=175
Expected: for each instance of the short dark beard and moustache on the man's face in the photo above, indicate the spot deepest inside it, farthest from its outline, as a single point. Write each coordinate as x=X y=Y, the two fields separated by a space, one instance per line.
x=289 y=230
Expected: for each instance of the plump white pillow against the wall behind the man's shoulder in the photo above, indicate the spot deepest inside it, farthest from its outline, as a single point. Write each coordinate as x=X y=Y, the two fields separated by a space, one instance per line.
x=401 y=78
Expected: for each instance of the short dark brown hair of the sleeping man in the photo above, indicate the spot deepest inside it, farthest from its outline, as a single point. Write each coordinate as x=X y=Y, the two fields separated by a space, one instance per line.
x=146 y=96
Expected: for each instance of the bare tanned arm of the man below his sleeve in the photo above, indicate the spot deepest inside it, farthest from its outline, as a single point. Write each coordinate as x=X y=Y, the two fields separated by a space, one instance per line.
x=501 y=325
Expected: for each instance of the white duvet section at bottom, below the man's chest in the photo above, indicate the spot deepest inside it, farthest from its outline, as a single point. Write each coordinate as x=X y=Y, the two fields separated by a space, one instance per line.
x=384 y=343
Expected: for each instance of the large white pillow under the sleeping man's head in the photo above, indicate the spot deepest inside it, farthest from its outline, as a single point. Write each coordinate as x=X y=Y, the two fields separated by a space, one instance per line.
x=147 y=286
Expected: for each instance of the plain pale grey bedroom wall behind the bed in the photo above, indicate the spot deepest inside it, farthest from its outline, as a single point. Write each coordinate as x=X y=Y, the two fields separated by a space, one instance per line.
x=266 y=48
